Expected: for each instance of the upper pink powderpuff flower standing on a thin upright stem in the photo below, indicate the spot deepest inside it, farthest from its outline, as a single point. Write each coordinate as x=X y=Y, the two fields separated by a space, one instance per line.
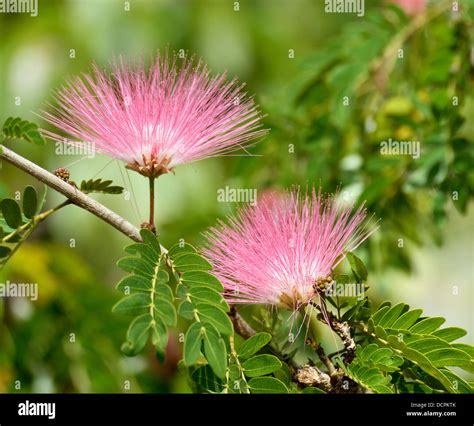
x=156 y=119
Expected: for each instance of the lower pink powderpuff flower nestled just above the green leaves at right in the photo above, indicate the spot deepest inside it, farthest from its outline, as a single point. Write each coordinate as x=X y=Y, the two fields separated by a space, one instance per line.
x=279 y=251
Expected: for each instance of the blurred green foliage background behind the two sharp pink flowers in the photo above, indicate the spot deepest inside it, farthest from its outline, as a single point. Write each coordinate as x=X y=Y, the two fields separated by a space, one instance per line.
x=300 y=63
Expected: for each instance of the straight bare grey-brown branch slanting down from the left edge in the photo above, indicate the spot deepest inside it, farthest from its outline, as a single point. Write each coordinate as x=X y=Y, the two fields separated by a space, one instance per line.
x=75 y=195
